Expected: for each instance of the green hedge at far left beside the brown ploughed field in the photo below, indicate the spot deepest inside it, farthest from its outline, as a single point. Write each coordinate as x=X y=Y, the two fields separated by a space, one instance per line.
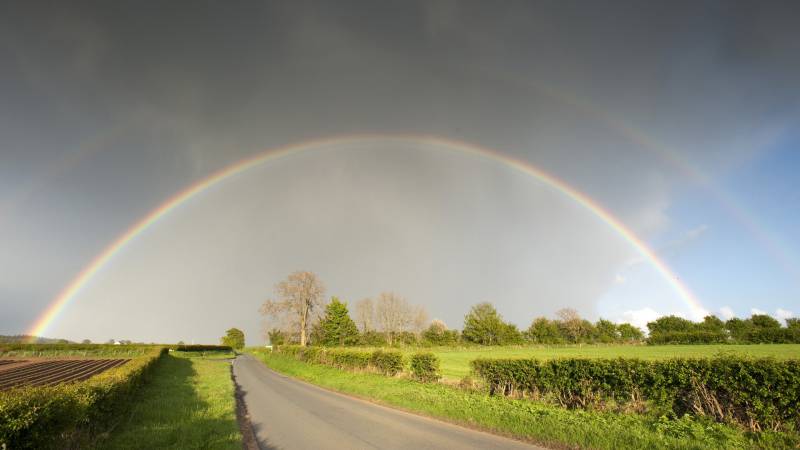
x=53 y=416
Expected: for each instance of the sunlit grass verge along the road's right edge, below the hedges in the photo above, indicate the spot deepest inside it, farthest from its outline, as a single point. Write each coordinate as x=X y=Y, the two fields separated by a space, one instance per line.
x=536 y=422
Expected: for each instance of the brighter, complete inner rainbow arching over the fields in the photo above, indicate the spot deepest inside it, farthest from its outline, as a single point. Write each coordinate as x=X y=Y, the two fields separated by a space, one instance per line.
x=64 y=297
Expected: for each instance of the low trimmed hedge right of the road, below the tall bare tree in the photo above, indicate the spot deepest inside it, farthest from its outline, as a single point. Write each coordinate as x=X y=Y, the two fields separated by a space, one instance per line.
x=389 y=363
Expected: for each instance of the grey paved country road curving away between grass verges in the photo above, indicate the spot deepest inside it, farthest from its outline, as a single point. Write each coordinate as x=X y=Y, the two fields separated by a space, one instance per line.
x=288 y=414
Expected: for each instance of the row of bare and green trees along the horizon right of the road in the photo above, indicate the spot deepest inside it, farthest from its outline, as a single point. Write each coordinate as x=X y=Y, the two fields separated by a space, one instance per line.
x=299 y=315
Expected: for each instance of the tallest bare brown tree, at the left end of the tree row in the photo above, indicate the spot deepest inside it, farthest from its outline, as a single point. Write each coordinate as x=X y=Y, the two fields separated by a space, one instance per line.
x=298 y=304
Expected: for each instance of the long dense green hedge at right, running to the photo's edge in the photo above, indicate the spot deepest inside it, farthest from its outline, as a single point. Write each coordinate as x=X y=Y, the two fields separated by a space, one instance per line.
x=759 y=394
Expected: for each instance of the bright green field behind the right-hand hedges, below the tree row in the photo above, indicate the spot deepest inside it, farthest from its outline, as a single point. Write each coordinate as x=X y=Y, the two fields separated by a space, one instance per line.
x=455 y=361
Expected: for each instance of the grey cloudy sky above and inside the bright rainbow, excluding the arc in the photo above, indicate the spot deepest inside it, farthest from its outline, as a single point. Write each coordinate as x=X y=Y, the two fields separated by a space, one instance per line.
x=108 y=109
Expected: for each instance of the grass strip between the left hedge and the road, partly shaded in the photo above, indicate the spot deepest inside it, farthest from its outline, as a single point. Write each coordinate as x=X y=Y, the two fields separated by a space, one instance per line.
x=188 y=403
